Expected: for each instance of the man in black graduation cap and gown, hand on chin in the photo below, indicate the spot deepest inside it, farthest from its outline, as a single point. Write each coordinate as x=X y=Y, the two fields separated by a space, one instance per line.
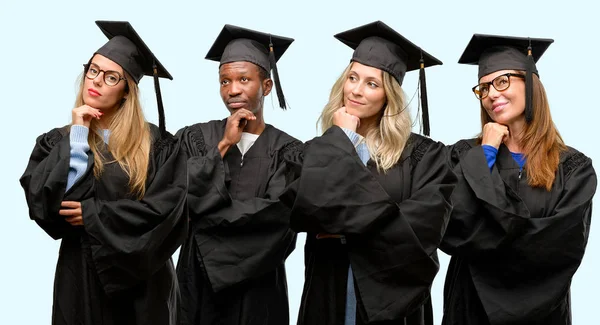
x=231 y=268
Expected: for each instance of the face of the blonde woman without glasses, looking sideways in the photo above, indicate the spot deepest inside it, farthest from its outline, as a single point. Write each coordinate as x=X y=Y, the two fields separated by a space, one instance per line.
x=364 y=94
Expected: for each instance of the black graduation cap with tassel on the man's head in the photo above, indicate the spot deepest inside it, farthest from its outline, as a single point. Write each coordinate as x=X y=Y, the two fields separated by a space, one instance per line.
x=241 y=44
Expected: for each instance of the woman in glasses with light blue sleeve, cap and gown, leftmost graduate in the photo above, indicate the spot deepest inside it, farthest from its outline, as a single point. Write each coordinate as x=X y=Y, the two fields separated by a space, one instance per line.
x=111 y=186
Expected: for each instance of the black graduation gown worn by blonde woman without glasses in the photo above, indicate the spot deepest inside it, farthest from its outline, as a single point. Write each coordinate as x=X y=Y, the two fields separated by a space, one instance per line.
x=392 y=223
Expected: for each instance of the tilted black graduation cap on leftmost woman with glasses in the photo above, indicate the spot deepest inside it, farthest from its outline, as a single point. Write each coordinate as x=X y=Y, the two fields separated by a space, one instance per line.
x=126 y=48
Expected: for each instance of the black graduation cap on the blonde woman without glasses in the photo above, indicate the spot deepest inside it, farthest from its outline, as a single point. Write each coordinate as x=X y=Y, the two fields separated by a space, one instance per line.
x=378 y=45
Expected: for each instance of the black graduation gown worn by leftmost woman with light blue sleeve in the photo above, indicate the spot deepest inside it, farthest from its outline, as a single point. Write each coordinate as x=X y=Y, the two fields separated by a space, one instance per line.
x=117 y=268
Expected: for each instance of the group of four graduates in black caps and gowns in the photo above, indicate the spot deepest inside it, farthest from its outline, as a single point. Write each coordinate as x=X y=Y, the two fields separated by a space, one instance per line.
x=512 y=206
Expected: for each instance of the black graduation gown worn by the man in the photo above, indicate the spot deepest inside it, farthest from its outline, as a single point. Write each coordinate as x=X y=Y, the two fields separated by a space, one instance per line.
x=231 y=268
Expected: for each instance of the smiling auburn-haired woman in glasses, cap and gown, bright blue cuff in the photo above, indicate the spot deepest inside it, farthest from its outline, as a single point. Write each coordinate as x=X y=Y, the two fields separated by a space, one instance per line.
x=523 y=202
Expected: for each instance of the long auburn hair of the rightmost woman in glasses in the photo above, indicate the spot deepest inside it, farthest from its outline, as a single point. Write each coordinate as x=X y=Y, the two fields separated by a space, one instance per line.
x=541 y=142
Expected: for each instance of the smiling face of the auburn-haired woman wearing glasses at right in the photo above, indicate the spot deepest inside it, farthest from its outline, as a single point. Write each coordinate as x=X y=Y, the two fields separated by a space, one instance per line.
x=507 y=106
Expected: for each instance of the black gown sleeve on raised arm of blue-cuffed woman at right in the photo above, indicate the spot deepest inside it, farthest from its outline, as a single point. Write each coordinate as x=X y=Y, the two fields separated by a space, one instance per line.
x=480 y=192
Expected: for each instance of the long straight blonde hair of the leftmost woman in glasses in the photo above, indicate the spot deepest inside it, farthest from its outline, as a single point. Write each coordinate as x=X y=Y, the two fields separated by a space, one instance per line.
x=130 y=139
